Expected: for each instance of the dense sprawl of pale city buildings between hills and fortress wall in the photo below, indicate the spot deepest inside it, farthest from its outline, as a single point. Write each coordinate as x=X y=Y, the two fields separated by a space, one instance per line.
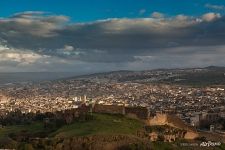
x=190 y=104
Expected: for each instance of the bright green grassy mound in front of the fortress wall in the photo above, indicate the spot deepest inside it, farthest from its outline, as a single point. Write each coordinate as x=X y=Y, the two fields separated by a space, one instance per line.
x=101 y=124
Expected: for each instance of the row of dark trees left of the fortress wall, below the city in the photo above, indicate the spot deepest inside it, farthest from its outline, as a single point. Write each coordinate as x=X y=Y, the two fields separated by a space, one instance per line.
x=60 y=117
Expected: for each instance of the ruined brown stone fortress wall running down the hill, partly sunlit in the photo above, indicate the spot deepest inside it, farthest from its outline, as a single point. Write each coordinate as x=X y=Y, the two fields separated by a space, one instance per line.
x=160 y=119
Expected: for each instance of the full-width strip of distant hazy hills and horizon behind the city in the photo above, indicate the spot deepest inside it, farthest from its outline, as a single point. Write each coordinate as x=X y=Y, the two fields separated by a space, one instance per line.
x=211 y=75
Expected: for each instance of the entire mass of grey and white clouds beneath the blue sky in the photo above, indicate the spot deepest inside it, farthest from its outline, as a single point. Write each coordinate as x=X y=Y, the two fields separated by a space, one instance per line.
x=38 y=37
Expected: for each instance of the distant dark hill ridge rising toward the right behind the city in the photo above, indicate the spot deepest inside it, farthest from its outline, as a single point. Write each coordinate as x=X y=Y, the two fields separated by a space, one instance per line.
x=211 y=75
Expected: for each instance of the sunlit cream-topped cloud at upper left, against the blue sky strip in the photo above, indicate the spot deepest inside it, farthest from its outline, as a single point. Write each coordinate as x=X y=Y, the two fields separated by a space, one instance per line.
x=32 y=23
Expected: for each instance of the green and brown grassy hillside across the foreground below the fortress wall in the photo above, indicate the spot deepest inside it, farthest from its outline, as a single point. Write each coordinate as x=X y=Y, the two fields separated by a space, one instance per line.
x=104 y=131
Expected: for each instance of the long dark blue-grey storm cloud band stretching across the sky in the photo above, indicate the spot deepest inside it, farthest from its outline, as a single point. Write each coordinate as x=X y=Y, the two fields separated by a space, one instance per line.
x=111 y=40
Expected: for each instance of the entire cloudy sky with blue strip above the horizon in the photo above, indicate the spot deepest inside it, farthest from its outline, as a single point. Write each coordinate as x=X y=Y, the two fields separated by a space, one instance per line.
x=88 y=36
